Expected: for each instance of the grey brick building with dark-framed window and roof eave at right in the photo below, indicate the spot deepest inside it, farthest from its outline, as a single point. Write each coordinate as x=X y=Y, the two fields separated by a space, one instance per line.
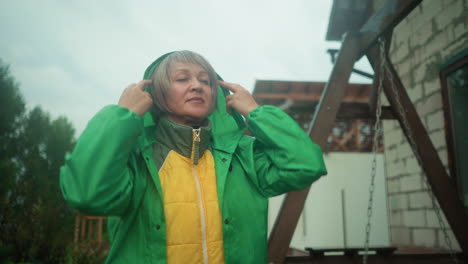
x=427 y=46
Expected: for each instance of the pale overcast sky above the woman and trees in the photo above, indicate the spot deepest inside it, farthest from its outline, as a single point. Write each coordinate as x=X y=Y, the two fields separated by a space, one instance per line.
x=74 y=57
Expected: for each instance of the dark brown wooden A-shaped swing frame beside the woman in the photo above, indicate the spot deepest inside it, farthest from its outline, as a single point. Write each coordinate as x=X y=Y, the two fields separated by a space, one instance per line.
x=354 y=46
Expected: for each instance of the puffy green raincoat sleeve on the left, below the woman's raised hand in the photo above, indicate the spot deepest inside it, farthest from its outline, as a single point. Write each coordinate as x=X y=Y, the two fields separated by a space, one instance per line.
x=96 y=178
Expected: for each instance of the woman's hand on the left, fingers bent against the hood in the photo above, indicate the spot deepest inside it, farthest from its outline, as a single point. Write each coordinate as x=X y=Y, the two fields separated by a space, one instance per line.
x=135 y=99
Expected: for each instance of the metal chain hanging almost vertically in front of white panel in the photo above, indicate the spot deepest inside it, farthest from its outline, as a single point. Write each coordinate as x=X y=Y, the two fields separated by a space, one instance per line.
x=377 y=133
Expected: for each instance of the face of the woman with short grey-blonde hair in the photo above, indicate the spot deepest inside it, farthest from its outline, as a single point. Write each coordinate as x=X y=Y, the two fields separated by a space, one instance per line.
x=190 y=98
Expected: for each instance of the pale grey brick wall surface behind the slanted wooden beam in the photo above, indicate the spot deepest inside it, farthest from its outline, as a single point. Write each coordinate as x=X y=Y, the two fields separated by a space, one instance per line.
x=434 y=32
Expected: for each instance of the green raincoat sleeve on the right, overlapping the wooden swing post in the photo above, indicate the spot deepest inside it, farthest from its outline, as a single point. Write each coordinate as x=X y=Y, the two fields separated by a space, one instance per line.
x=285 y=158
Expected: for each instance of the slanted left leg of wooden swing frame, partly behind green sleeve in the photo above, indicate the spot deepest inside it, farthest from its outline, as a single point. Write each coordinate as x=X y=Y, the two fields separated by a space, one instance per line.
x=322 y=123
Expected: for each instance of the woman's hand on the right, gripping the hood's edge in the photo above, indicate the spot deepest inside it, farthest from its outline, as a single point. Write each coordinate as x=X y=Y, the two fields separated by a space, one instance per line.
x=240 y=99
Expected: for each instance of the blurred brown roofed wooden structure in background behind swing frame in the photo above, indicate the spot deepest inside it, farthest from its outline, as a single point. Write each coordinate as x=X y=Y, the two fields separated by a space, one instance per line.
x=352 y=130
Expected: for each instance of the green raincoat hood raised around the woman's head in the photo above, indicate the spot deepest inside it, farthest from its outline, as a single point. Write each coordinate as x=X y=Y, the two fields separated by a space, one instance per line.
x=227 y=129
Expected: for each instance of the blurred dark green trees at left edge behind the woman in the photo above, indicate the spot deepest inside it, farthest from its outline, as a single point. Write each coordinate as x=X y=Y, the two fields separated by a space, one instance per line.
x=36 y=225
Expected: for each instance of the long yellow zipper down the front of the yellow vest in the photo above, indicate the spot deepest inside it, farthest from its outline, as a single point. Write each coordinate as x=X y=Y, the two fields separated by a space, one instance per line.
x=195 y=156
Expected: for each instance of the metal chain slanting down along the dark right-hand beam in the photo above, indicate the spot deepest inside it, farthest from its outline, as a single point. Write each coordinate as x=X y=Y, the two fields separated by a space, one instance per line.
x=416 y=153
